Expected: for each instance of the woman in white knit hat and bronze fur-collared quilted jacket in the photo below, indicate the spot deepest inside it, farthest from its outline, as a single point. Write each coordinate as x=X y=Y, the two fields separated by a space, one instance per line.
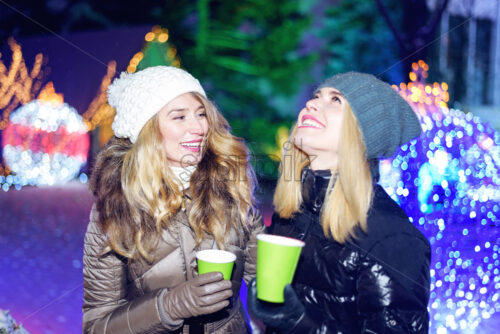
x=172 y=181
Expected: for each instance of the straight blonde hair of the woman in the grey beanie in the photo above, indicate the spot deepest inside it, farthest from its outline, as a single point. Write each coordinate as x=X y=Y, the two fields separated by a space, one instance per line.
x=349 y=195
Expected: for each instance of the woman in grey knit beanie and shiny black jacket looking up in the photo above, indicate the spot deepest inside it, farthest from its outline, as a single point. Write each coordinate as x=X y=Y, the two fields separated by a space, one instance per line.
x=365 y=266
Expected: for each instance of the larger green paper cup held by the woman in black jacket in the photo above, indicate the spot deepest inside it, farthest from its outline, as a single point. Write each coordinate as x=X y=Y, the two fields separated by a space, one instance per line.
x=277 y=259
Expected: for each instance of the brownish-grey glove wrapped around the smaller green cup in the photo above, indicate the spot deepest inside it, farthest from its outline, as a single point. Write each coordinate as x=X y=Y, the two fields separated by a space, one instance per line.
x=205 y=294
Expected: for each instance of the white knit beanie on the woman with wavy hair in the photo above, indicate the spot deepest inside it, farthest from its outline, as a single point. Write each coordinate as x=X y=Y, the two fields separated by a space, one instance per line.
x=139 y=96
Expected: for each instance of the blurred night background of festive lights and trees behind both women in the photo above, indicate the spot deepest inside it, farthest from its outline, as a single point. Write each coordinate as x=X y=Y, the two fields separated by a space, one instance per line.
x=259 y=61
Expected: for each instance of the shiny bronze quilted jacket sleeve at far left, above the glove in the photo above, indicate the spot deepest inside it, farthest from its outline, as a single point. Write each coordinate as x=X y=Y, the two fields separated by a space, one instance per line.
x=106 y=307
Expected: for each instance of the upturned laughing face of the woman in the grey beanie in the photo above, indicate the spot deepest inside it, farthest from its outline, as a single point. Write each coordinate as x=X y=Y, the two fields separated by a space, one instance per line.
x=319 y=128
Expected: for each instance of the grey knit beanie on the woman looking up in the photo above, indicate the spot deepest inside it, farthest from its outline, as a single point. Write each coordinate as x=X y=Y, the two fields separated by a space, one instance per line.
x=385 y=118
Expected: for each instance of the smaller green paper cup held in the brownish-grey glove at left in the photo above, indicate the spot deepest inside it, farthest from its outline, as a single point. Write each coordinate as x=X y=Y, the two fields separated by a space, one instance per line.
x=211 y=260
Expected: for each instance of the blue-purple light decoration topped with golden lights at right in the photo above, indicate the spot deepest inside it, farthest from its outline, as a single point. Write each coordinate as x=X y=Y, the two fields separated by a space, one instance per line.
x=448 y=182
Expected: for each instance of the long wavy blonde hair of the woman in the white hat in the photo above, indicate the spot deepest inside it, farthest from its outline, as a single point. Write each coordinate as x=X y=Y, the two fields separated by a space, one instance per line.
x=221 y=189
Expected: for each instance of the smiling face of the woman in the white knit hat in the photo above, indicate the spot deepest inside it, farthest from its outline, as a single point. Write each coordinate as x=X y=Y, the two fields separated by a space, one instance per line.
x=183 y=125
